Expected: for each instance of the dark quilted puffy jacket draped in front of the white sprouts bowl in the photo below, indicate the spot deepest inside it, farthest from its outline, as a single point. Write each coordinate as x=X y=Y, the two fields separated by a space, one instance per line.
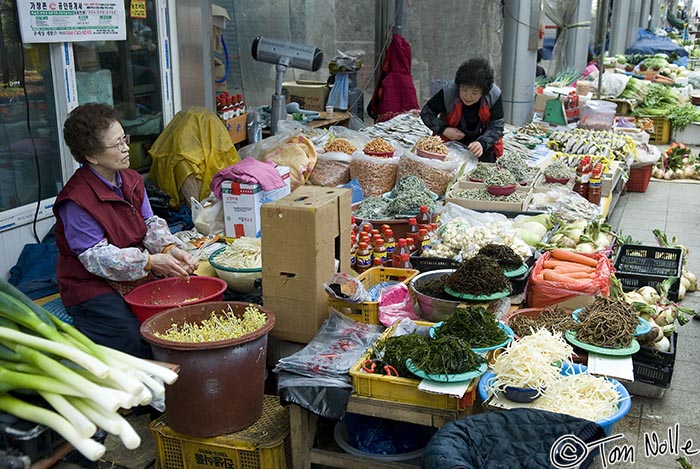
x=509 y=439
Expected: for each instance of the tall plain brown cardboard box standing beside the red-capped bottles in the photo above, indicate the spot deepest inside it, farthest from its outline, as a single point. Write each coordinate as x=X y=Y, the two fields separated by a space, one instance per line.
x=304 y=235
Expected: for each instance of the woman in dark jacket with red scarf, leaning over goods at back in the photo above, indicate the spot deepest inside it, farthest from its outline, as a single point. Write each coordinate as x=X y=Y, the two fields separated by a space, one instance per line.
x=468 y=109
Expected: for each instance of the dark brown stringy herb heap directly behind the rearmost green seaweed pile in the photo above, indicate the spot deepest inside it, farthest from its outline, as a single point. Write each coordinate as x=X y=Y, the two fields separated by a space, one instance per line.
x=479 y=275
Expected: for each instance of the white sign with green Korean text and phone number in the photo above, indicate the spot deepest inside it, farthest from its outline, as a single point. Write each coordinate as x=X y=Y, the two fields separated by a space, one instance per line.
x=50 y=21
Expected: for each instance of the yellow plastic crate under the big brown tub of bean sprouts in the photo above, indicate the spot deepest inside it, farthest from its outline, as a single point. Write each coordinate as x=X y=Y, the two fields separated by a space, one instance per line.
x=263 y=445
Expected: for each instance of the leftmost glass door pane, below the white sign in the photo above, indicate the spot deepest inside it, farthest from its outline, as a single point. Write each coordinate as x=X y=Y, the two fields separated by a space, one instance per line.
x=30 y=156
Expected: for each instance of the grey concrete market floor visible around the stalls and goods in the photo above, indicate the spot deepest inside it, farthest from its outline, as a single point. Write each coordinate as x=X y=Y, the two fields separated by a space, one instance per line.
x=671 y=207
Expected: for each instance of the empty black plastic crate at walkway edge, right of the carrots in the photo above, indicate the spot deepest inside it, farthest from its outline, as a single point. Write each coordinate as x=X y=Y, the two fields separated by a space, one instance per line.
x=638 y=266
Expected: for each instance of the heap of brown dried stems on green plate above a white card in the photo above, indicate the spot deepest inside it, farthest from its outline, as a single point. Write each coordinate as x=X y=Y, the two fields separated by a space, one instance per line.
x=607 y=323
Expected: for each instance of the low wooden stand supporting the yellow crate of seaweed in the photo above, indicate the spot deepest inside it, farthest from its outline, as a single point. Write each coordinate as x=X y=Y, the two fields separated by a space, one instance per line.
x=303 y=426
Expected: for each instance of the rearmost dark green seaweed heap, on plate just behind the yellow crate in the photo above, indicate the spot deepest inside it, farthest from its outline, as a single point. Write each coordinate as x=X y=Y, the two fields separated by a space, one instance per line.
x=473 y=324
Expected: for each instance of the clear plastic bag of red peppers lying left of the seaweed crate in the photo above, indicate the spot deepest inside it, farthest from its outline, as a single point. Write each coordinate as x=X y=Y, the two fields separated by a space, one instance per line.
x=339 y=343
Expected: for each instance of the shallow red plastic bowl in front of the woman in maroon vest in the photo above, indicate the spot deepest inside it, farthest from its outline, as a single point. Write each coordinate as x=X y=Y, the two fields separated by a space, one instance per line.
x=159 y=295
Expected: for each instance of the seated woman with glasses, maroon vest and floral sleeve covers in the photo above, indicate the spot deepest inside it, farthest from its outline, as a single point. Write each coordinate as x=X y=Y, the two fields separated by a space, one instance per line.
x=108 y=239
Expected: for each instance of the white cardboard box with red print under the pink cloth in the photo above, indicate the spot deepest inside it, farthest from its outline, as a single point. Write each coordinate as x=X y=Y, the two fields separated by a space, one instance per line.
x=242 y=204
